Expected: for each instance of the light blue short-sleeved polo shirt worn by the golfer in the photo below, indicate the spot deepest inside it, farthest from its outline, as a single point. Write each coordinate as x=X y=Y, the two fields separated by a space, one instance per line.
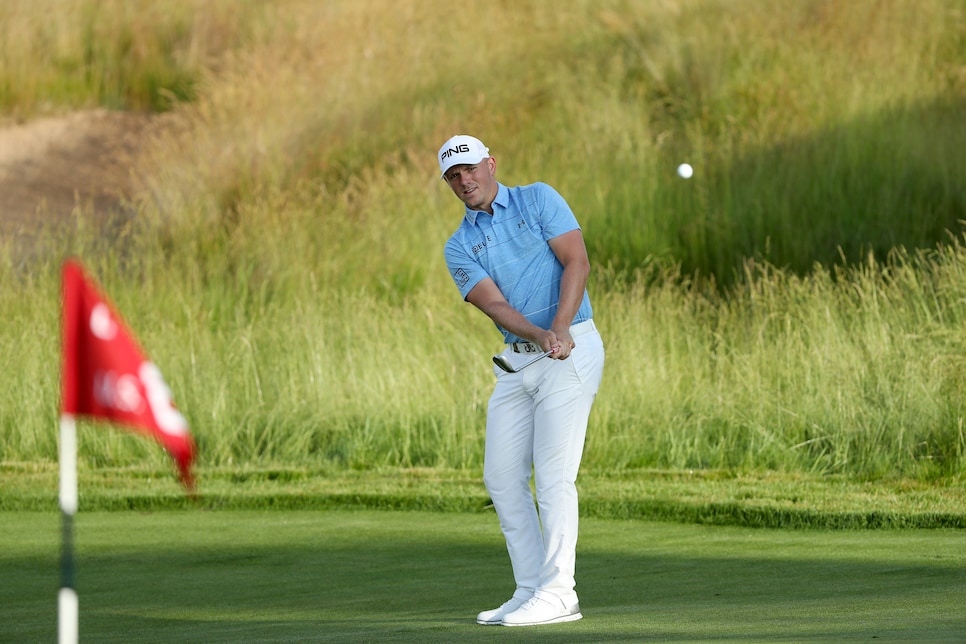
x=510 y=246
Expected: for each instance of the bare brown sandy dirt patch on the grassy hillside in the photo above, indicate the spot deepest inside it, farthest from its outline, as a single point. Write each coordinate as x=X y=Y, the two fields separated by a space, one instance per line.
x=50 y=166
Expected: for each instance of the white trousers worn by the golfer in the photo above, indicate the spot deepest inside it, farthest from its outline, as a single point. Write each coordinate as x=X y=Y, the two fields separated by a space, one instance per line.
x=536 y=423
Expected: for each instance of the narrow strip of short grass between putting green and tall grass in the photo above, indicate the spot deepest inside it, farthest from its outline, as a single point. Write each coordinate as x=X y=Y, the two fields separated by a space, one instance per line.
x=757 y=500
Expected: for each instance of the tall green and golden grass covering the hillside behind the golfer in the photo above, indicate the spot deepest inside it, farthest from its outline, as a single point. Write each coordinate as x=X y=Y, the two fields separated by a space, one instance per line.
x=796 y=306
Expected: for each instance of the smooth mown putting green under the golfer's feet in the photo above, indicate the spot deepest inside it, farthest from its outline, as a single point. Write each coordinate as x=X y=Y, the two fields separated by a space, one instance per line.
x=235 y=576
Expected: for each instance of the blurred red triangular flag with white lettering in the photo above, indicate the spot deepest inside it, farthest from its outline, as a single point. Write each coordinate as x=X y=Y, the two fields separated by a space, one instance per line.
x=107 y=376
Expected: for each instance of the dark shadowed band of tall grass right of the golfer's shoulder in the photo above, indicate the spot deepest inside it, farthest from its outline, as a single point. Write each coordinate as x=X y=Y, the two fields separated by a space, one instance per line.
x=883 y=181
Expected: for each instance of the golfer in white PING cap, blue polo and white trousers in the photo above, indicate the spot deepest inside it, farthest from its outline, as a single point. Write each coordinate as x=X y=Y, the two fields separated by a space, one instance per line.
x=519 y=256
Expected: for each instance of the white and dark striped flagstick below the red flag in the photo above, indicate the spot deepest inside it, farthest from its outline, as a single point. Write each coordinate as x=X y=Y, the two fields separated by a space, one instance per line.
x=67 y=607
